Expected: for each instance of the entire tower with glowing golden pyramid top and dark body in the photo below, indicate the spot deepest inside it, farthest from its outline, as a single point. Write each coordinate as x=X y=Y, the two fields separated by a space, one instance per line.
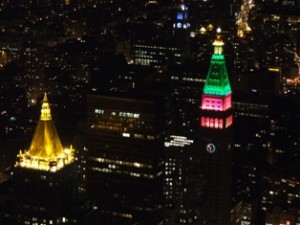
x=45 y=186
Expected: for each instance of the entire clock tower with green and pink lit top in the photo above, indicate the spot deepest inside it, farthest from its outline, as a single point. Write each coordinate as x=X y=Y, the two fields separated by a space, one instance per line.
x=216 y=119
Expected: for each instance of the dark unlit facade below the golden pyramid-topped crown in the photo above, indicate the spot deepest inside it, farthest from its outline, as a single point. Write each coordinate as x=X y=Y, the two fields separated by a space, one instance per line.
x=43 y=197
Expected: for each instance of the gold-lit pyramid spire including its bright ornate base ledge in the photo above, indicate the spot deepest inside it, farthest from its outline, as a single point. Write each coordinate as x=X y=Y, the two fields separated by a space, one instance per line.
x=45 y=151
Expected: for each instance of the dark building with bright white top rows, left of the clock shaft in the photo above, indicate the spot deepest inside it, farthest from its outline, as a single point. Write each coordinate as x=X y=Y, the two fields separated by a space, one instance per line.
x=184 y=183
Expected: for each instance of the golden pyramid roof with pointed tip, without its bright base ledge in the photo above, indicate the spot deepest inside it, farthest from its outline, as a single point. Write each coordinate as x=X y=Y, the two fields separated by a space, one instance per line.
x=45 y=143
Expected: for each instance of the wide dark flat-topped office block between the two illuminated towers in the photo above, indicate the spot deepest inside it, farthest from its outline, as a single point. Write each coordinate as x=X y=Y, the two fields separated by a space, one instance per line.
x=125 y=162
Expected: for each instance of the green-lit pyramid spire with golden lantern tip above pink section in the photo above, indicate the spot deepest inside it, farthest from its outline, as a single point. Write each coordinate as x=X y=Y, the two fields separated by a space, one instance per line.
x=217 y=82
